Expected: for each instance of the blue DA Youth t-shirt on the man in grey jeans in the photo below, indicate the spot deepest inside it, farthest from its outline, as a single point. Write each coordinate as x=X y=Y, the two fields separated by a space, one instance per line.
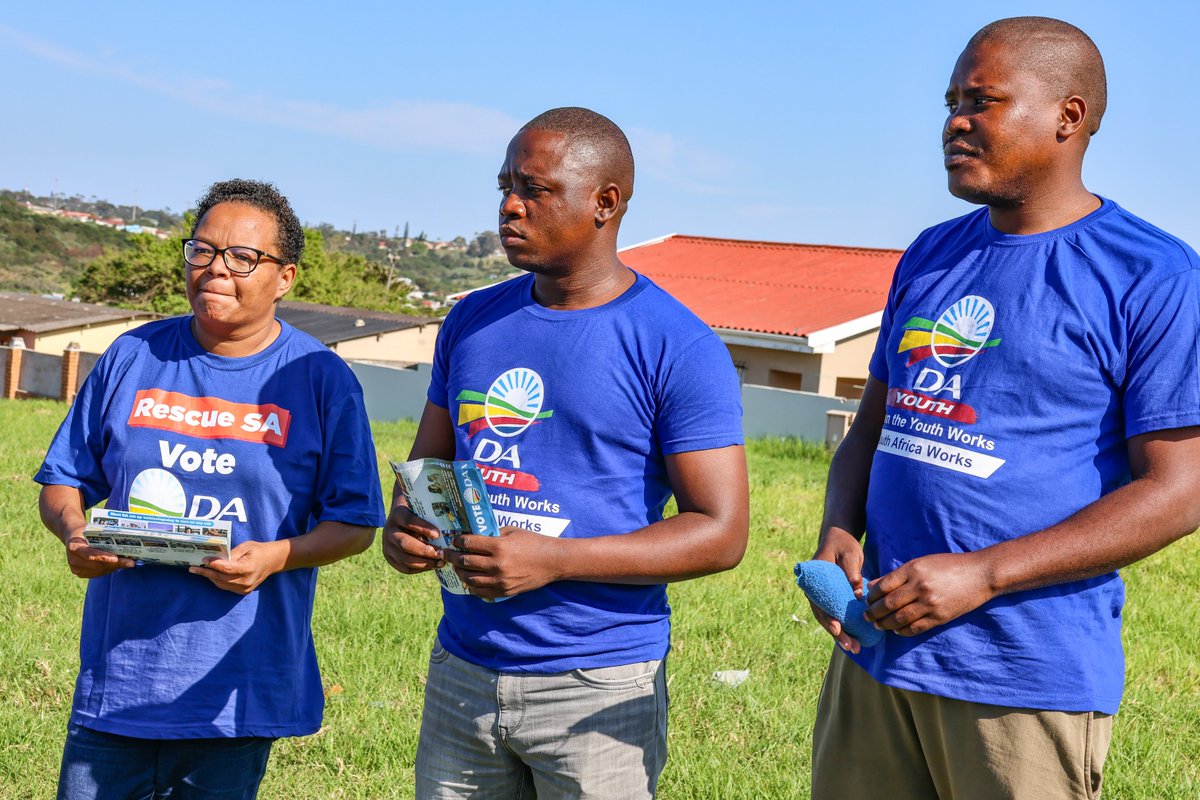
x=571 y=414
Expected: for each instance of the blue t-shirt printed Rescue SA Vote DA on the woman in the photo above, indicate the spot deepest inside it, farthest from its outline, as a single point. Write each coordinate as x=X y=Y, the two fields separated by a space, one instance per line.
x=273 y=443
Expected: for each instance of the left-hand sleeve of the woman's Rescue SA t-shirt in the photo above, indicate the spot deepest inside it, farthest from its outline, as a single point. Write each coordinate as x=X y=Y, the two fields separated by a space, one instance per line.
x=76 y=453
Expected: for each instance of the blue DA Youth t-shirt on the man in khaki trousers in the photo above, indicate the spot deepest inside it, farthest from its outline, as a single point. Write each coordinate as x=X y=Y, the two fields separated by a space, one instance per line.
x=1017 y=369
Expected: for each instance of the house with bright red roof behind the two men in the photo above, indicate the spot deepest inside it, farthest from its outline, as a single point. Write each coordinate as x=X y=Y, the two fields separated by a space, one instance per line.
x=800 y=317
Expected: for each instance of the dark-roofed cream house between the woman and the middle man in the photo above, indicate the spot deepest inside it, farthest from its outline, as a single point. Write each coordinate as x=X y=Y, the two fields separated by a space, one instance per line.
x=362 y=335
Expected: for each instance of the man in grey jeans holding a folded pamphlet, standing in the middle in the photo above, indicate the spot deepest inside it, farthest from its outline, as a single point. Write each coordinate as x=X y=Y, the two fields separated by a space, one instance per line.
x=589 y=398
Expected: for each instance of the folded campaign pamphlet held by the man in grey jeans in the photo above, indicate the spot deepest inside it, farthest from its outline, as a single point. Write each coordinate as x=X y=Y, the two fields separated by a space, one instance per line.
x=452 y=497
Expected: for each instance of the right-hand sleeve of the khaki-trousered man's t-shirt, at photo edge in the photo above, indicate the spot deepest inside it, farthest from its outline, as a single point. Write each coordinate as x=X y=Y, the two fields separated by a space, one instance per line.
x=1162 y=375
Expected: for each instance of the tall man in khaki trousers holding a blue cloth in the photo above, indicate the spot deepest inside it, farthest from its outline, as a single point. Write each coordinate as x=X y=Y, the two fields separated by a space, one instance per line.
x=1029 y=428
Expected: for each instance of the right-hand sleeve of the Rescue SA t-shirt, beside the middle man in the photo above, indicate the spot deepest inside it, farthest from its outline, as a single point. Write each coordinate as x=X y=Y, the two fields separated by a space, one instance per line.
x=349 y=489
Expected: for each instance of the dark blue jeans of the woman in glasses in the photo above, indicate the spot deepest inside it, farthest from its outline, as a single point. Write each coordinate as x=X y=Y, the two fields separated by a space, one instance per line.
x=106 y=767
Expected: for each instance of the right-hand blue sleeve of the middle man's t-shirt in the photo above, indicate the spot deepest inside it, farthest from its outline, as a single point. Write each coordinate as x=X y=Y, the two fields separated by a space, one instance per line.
x=701 y=400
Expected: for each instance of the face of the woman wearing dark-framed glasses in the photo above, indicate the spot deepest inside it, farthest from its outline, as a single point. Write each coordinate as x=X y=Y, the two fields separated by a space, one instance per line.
x=227 y=305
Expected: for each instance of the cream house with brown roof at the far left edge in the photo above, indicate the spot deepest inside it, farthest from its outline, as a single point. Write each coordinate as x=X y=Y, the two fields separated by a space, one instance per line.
x=50 y=324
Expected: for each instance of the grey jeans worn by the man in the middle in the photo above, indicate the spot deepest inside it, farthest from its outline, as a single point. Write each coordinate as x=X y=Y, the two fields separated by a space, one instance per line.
x=587 y=733
